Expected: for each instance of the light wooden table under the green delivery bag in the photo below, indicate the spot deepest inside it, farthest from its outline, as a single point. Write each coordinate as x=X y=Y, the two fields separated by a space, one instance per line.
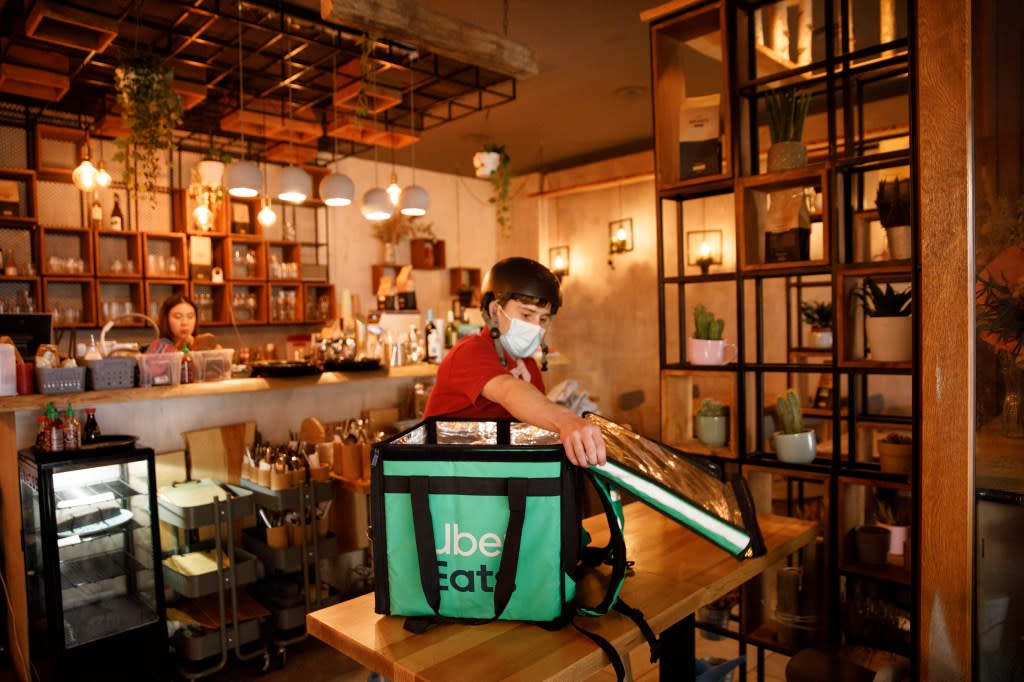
x=676 y=573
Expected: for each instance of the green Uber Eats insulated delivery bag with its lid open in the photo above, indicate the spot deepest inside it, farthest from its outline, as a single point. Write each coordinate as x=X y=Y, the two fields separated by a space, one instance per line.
x=476 y=521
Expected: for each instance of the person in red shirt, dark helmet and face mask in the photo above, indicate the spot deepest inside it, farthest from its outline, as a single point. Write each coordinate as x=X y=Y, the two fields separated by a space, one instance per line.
x=494 y=375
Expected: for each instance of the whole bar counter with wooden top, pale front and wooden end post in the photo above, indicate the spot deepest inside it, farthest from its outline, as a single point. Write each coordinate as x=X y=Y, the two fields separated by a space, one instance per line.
x=159 y=416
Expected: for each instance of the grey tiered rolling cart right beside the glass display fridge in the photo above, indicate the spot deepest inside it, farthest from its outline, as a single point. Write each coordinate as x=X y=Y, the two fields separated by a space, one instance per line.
x=210 y=571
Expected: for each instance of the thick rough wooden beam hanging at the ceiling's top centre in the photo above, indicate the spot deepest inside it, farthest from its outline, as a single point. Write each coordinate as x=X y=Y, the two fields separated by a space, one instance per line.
x=407 y=22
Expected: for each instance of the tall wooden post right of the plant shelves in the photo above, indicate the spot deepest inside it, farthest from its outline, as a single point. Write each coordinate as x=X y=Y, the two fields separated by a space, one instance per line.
x=945 y=301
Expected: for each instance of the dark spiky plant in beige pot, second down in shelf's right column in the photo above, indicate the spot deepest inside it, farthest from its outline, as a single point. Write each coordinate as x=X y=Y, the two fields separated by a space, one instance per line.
x=888 y=322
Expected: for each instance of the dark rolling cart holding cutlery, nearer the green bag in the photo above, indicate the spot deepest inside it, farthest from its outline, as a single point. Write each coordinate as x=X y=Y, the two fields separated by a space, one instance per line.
x=291 y=556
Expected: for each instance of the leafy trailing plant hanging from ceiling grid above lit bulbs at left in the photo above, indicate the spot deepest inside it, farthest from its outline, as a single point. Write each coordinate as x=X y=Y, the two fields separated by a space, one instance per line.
x=152 y=111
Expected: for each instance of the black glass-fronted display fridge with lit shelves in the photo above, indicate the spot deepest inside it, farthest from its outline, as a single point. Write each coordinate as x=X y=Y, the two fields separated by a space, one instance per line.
x=92 y=546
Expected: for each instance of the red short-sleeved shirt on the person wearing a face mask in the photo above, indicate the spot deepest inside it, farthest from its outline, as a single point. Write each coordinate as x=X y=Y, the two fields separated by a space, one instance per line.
x=464 y=373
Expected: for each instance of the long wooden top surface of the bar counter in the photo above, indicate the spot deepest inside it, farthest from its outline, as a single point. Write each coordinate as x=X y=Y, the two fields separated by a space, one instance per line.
x=251 y=386
